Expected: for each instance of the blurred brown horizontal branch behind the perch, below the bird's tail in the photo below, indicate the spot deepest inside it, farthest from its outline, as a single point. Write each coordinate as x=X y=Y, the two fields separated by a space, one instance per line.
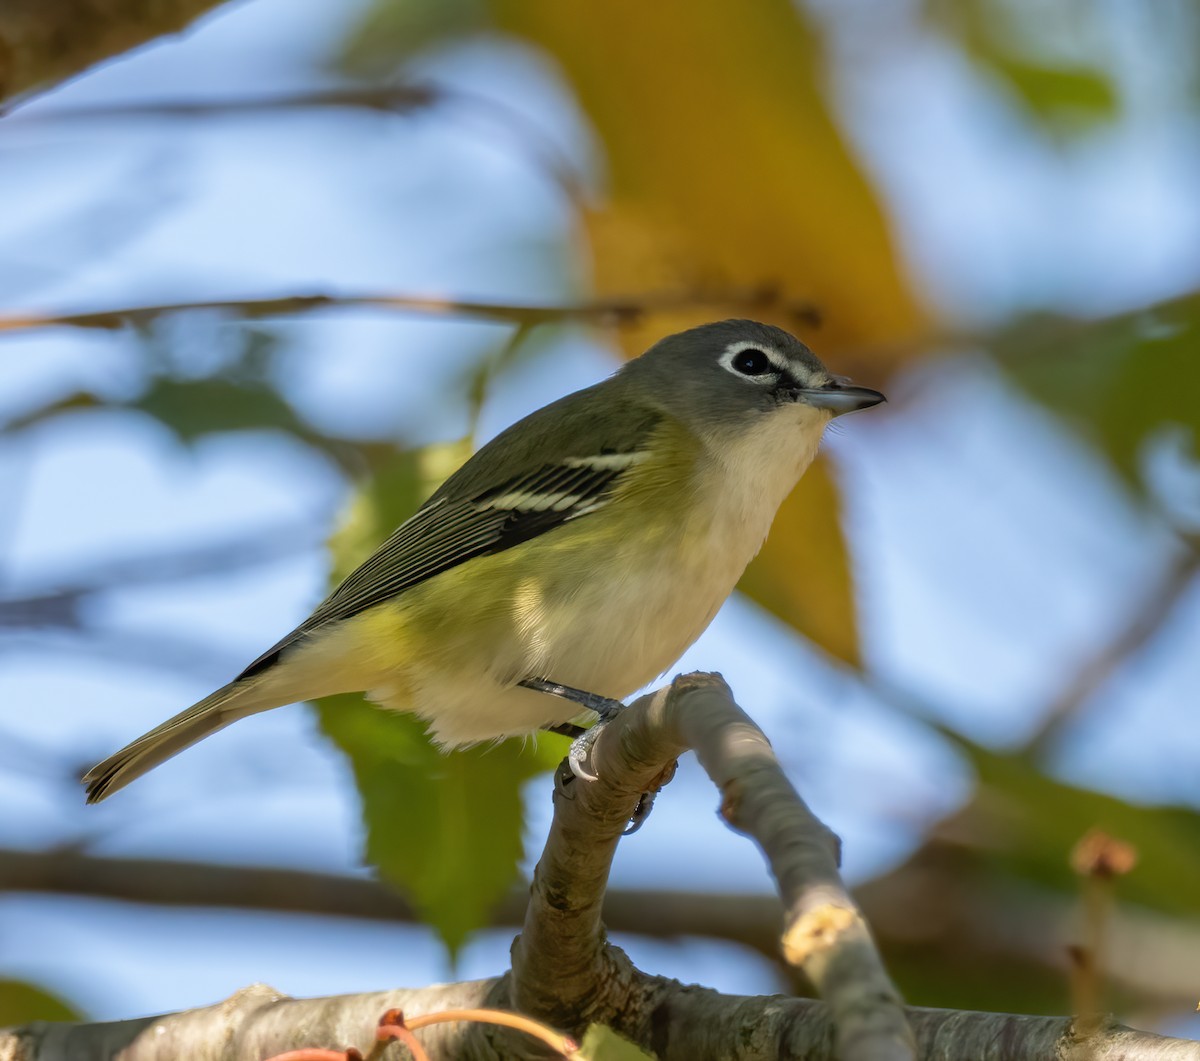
x=1150 y=954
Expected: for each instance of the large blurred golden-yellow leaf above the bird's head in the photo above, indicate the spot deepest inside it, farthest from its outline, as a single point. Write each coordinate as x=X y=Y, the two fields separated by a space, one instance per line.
x=725 y=170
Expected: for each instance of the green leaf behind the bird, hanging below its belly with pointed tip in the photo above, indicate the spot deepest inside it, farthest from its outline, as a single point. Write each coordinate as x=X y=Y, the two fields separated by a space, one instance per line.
x=443 y=829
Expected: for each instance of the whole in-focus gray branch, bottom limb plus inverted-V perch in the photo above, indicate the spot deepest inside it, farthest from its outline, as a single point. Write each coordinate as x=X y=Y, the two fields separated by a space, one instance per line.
x=566 y=974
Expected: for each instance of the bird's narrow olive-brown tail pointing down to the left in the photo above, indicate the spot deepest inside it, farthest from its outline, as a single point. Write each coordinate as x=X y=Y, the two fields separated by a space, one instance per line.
x=215 y=712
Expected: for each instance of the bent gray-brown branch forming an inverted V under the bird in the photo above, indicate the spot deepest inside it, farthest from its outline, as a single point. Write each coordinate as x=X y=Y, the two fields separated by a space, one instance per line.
x=560 y=960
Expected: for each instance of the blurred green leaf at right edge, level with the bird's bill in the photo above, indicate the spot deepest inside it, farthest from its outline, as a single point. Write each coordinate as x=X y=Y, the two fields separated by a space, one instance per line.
x=1119 y=382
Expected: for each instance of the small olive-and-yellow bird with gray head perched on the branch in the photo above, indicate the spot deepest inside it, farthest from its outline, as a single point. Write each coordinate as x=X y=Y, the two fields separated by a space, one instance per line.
x=580 y=553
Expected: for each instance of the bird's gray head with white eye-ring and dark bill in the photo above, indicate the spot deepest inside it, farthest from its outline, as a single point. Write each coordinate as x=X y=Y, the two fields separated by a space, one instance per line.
x=735 y=373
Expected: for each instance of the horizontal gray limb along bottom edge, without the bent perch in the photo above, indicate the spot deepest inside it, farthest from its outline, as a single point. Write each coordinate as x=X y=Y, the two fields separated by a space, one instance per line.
x=689 y=1023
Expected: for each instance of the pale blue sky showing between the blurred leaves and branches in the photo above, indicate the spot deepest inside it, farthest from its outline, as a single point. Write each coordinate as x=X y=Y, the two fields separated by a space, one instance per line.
x=959 y=493
